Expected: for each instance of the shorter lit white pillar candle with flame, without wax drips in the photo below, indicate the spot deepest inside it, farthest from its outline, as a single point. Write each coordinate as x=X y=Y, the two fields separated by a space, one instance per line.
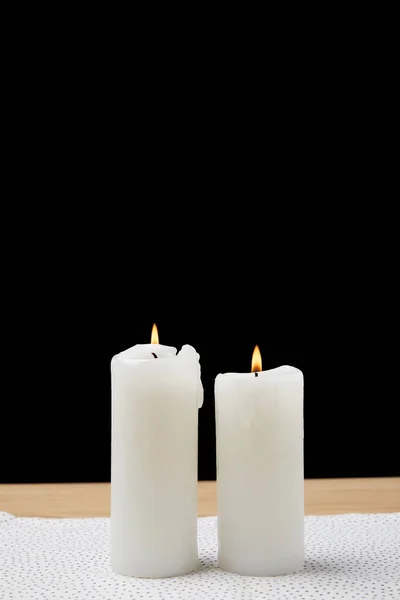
x=260 y=477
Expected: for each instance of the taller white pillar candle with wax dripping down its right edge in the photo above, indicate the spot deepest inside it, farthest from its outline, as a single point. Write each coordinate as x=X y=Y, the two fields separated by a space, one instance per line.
x=156 y=394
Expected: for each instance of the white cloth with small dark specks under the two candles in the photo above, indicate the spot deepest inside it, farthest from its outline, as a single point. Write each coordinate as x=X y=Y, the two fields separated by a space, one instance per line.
x=347 y=557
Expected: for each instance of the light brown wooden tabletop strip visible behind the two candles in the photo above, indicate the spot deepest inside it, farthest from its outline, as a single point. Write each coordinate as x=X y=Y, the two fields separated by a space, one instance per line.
x=322 y=497
